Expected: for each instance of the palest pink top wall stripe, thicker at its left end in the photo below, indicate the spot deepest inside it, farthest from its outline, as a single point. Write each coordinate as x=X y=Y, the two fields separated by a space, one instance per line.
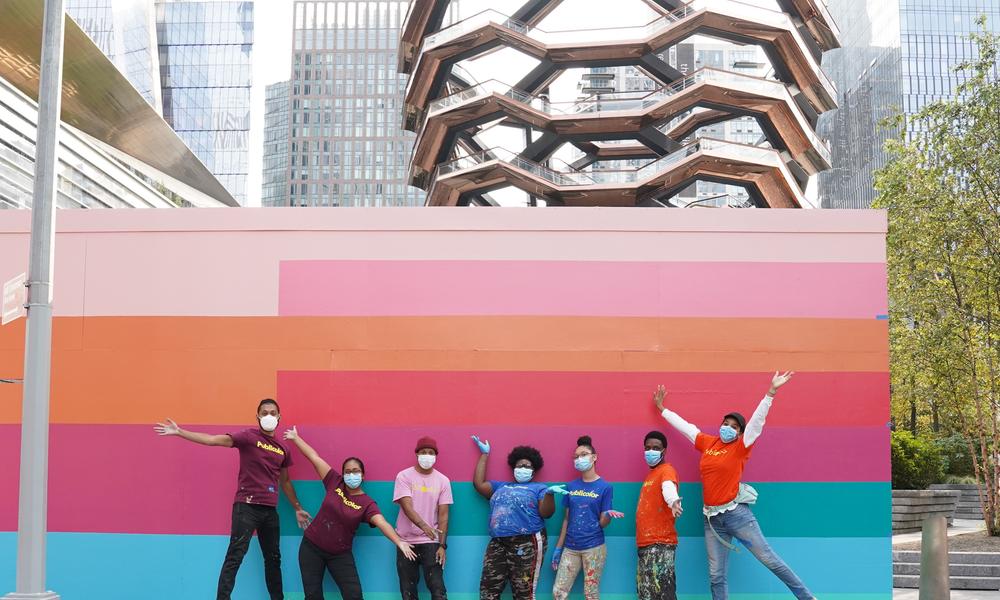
x=224 y=262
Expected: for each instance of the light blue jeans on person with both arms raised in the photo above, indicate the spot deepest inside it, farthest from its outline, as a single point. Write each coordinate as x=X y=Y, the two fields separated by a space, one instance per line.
x=740 y=523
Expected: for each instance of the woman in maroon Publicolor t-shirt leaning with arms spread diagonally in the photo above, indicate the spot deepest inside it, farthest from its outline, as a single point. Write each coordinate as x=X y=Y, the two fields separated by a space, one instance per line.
x=328 y=540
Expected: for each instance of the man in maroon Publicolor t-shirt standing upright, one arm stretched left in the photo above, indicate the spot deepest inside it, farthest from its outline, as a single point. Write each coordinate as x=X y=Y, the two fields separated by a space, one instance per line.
x=264 y=463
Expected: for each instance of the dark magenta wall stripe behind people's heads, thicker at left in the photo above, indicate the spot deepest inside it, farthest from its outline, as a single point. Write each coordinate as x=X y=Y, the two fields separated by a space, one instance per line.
x=125 y=479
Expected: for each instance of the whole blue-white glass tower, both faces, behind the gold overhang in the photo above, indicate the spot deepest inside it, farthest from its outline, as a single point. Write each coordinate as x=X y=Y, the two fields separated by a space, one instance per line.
x=191 y=59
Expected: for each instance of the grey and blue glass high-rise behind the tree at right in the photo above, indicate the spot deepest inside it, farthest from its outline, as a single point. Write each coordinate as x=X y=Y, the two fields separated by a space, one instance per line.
x=896 y=56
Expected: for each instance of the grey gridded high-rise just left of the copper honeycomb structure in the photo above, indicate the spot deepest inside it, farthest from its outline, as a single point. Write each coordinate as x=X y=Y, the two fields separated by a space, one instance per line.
x=345 y=144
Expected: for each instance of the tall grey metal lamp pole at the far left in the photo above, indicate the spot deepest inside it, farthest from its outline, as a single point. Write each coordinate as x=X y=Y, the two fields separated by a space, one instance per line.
x=32 y=505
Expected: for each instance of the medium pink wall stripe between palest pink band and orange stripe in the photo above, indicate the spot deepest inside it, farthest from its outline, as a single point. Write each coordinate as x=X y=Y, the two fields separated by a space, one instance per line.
x=639 y=289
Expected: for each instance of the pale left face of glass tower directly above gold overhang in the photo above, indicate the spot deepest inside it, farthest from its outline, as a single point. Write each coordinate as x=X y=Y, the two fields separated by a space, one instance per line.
x=125 y=30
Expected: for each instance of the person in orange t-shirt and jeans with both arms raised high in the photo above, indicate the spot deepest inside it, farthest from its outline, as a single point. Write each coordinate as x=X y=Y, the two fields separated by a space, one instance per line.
x=727 y=511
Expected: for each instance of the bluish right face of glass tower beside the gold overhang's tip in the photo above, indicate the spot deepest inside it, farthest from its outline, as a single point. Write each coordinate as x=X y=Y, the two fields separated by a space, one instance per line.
x=205 y=70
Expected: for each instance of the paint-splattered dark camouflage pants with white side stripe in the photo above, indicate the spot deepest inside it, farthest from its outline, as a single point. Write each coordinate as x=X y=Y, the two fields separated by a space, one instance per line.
x=516 y=560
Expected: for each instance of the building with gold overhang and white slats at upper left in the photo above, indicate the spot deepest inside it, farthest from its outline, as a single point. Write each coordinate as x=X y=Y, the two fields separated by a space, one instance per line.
x=115 y=150
